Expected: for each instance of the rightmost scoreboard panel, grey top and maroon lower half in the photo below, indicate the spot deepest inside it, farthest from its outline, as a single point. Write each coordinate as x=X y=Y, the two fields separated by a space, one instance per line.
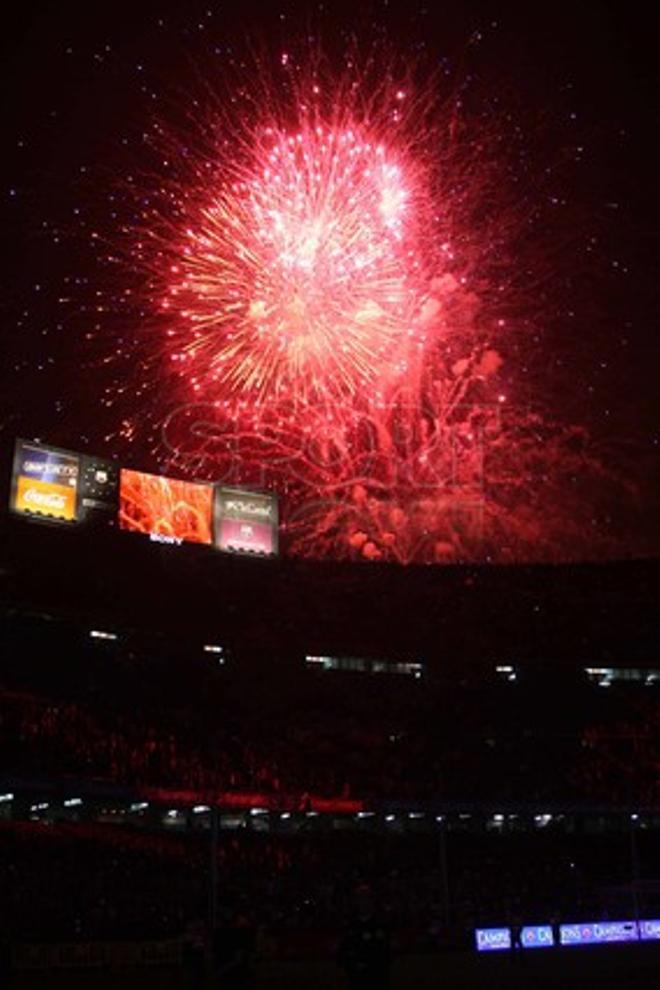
x=246 y=522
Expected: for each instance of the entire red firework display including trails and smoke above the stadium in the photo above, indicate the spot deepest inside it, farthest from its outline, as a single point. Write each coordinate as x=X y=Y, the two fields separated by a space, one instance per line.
x=331 y=280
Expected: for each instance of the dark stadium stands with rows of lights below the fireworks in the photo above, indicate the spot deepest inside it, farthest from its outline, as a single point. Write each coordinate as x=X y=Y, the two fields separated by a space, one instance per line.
x=275 y=749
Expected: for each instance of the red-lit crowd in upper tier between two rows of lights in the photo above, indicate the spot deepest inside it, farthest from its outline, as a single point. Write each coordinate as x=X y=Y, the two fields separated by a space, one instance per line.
x=354 y=735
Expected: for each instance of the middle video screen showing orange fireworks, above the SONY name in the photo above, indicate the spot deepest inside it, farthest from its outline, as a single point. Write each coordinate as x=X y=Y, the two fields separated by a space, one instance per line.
x=166 y=510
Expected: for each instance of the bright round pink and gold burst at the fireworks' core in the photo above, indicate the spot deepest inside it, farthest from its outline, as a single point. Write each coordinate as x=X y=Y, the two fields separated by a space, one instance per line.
x=300 y=279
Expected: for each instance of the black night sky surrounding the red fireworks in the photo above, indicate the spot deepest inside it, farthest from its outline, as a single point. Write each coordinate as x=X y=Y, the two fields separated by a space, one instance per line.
x=80 y=84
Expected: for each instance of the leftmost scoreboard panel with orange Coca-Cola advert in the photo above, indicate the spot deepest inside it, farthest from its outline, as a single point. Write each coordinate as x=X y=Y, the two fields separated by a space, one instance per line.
x=45 y=482
